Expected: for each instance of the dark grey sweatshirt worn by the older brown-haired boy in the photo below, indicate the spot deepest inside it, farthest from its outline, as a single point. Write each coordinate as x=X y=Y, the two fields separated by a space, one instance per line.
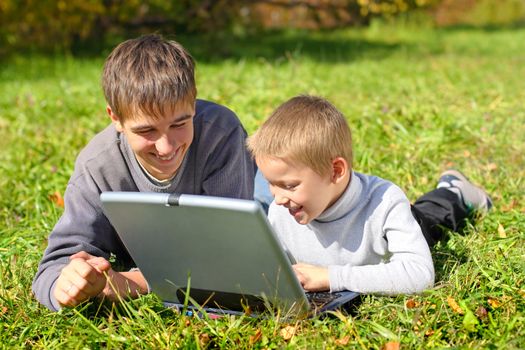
x=217 y=164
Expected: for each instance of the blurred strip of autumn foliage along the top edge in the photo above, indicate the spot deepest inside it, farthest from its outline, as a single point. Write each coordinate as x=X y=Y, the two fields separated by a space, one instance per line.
x=80 y=26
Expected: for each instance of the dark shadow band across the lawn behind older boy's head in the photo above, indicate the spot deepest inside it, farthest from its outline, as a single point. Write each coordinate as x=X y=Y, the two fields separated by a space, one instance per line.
x=331 y=46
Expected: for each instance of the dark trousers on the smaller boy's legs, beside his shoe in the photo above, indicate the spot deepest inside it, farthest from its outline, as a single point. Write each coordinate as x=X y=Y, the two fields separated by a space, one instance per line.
x=439 y=209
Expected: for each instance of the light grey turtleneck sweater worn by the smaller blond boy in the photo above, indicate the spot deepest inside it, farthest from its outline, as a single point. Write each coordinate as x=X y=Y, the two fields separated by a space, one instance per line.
x=368 y=240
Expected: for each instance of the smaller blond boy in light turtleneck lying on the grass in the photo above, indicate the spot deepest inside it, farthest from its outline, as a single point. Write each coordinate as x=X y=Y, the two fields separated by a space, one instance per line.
x=347 y=230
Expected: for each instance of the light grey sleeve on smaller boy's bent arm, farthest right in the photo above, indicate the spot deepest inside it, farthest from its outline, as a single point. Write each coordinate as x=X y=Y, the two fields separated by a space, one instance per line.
x=407 y=266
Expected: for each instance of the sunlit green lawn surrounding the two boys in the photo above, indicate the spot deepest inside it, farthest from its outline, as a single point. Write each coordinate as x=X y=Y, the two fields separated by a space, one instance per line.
x=418 y=101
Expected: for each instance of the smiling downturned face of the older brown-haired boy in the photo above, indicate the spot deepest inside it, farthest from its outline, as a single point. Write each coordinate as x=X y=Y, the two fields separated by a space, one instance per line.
x=159 y=144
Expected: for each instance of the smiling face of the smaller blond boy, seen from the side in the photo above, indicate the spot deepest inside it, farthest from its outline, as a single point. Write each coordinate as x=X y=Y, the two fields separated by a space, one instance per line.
x=305 y=193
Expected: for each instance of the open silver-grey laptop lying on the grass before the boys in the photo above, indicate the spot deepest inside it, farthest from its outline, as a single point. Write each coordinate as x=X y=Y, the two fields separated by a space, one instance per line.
x=212 y=254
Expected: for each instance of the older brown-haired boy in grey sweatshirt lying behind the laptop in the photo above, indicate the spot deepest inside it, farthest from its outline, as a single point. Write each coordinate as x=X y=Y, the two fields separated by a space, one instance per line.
x=161 y=139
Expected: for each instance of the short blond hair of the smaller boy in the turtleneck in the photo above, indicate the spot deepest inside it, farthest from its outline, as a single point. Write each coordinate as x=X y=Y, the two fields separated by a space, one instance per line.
x=305 y=129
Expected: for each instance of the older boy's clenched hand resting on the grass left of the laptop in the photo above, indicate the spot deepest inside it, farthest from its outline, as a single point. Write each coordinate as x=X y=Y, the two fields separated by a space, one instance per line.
x=81 y=279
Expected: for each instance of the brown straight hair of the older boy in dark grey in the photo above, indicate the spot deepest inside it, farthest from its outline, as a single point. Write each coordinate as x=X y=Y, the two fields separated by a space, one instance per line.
x=148 y=75
